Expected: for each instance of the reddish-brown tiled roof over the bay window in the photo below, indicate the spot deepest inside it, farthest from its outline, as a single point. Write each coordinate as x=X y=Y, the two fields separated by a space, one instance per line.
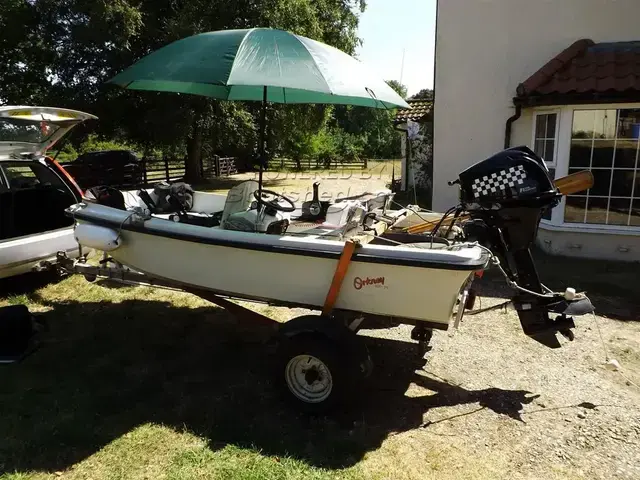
x=587 y=69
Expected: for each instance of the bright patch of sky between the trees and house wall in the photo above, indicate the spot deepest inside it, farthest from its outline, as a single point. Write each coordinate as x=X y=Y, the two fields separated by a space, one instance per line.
x=389 y=26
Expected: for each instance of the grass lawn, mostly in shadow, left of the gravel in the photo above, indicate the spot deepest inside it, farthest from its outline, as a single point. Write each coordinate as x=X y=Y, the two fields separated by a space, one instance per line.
x=134 y=382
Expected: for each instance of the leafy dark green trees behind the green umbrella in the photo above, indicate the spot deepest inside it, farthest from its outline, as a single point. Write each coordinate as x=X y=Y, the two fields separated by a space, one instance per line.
x=61 y=52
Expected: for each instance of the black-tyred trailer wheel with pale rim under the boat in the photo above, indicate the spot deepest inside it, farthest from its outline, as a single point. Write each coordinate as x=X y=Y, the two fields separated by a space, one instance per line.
x=317 y=373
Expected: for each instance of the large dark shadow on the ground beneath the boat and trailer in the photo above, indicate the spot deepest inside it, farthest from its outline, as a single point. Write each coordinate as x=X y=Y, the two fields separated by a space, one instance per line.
x=105 y=368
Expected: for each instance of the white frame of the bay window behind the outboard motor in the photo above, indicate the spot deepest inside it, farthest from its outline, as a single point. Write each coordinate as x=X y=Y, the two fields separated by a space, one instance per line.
x=564 y=127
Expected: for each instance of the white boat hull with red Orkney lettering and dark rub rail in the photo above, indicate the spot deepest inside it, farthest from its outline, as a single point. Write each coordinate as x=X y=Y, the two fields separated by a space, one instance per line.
x=402 y=282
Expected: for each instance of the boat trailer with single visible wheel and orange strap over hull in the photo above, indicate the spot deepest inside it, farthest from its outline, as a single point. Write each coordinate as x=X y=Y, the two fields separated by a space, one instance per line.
x=320 y=362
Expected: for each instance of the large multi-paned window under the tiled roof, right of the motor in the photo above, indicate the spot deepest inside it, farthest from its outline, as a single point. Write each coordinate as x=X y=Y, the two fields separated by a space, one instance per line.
x=606 y=141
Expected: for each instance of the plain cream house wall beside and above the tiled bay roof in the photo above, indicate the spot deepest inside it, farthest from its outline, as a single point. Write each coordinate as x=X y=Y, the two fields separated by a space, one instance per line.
x=484 y=49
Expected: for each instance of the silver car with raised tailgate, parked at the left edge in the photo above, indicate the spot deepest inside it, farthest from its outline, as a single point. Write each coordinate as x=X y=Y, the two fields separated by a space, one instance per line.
x=34 y=189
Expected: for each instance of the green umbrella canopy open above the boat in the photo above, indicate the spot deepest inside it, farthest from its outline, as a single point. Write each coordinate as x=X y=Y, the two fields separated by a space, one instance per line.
x=259 y=64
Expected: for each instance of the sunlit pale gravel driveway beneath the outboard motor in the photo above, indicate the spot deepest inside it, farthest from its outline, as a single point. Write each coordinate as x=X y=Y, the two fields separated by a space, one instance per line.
x=489 y=402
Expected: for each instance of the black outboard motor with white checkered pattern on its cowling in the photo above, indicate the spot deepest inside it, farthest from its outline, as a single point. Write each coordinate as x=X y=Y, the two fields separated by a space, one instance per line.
x=506 y=196
